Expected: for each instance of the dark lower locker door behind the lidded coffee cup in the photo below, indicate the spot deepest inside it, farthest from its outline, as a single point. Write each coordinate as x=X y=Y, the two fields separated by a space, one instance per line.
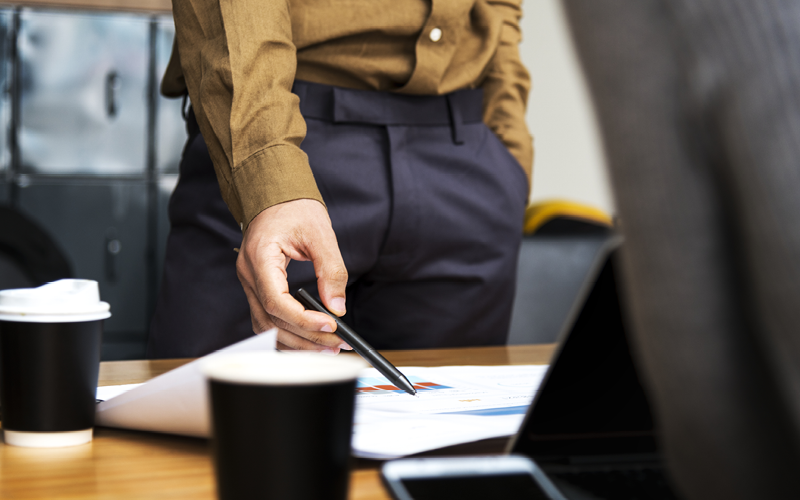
x=103 y=229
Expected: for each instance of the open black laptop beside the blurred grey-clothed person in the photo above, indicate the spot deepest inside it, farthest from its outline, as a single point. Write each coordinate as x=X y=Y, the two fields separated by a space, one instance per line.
x=590 y=427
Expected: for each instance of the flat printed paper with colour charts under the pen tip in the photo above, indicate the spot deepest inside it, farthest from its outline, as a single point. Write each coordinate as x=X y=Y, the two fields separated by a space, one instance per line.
x=454 y=405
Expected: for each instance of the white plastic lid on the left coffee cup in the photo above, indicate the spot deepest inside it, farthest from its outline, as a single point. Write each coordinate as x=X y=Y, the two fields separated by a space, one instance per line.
x=62 y=301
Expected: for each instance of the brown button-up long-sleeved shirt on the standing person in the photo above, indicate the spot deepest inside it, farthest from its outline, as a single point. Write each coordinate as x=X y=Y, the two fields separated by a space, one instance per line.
x=238 y=59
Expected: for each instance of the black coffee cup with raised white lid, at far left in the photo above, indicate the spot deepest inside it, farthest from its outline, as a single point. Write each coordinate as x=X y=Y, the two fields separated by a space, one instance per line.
x=50 y=339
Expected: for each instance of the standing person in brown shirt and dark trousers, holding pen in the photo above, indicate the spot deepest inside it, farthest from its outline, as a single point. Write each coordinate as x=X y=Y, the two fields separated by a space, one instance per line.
x=374 y=152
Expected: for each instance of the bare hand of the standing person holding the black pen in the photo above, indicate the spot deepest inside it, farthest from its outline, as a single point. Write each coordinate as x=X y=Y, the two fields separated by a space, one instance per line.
x=295 y=230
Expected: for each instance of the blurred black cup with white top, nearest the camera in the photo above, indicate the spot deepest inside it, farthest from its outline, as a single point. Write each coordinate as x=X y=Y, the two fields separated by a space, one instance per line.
x=282 y=424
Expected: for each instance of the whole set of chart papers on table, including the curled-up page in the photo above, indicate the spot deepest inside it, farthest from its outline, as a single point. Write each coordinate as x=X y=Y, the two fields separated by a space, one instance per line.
x=454 y=404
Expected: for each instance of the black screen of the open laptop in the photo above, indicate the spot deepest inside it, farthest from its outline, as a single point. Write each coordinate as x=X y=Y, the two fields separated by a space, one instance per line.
x=591 y=402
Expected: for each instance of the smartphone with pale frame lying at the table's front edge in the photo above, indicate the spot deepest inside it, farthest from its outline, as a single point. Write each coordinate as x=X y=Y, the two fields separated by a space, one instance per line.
x=510 y=477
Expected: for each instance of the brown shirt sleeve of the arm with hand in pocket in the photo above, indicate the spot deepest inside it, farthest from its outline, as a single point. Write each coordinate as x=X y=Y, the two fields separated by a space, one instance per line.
x=506 y=87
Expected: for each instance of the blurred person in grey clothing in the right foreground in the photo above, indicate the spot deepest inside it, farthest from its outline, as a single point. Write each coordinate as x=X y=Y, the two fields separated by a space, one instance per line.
x=699 y=105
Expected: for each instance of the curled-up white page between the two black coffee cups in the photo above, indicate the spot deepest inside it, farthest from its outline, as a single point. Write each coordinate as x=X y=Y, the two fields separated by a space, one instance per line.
x=175 y=402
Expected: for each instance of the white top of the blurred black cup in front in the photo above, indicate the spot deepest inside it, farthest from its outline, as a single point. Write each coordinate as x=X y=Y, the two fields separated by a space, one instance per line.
x=279 y=368
